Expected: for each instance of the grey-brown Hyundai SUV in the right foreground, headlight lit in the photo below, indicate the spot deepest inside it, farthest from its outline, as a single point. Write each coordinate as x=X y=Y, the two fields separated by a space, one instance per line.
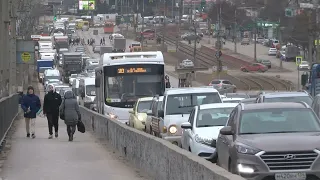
x=271 y=141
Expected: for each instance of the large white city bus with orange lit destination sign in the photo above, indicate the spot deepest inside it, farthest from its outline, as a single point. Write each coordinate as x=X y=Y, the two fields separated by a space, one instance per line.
x=125 y=77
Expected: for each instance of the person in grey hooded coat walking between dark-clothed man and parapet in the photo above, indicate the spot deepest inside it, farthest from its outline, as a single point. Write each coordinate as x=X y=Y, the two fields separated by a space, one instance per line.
x=70 y=113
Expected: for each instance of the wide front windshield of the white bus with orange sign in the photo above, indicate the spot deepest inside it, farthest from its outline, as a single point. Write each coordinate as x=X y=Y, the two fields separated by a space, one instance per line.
x=124 y=84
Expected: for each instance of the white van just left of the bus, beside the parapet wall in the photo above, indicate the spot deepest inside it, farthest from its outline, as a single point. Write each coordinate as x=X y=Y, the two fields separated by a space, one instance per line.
x=87 y=91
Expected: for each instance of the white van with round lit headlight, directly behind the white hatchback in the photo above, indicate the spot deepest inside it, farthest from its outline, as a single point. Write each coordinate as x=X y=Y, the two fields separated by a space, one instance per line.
x=176 y=107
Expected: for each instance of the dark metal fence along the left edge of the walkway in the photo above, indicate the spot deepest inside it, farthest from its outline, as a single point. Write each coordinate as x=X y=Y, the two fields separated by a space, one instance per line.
x=9 y=108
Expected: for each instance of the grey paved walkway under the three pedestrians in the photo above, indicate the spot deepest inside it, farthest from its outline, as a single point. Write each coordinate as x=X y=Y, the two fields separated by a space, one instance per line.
x=57 y=159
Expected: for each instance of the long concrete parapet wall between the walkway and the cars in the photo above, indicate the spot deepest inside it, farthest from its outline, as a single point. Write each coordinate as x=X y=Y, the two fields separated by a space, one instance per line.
x=159 y=158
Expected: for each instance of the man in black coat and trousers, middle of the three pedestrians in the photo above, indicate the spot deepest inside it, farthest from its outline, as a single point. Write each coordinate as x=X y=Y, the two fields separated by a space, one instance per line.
x=51 y=104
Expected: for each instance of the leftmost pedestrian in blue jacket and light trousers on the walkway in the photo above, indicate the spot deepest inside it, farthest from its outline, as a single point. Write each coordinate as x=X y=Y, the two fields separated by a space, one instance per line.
x=31 y=105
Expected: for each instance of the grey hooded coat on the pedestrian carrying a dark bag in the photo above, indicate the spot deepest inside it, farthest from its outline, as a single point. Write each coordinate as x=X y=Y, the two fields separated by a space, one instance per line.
x=71 y=109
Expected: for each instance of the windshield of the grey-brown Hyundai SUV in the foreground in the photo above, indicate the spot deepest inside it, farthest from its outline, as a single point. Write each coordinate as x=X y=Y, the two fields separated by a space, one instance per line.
x=278 y=121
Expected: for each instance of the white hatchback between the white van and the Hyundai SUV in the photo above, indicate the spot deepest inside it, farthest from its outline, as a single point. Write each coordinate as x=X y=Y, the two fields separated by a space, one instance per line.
x=200 y=133
